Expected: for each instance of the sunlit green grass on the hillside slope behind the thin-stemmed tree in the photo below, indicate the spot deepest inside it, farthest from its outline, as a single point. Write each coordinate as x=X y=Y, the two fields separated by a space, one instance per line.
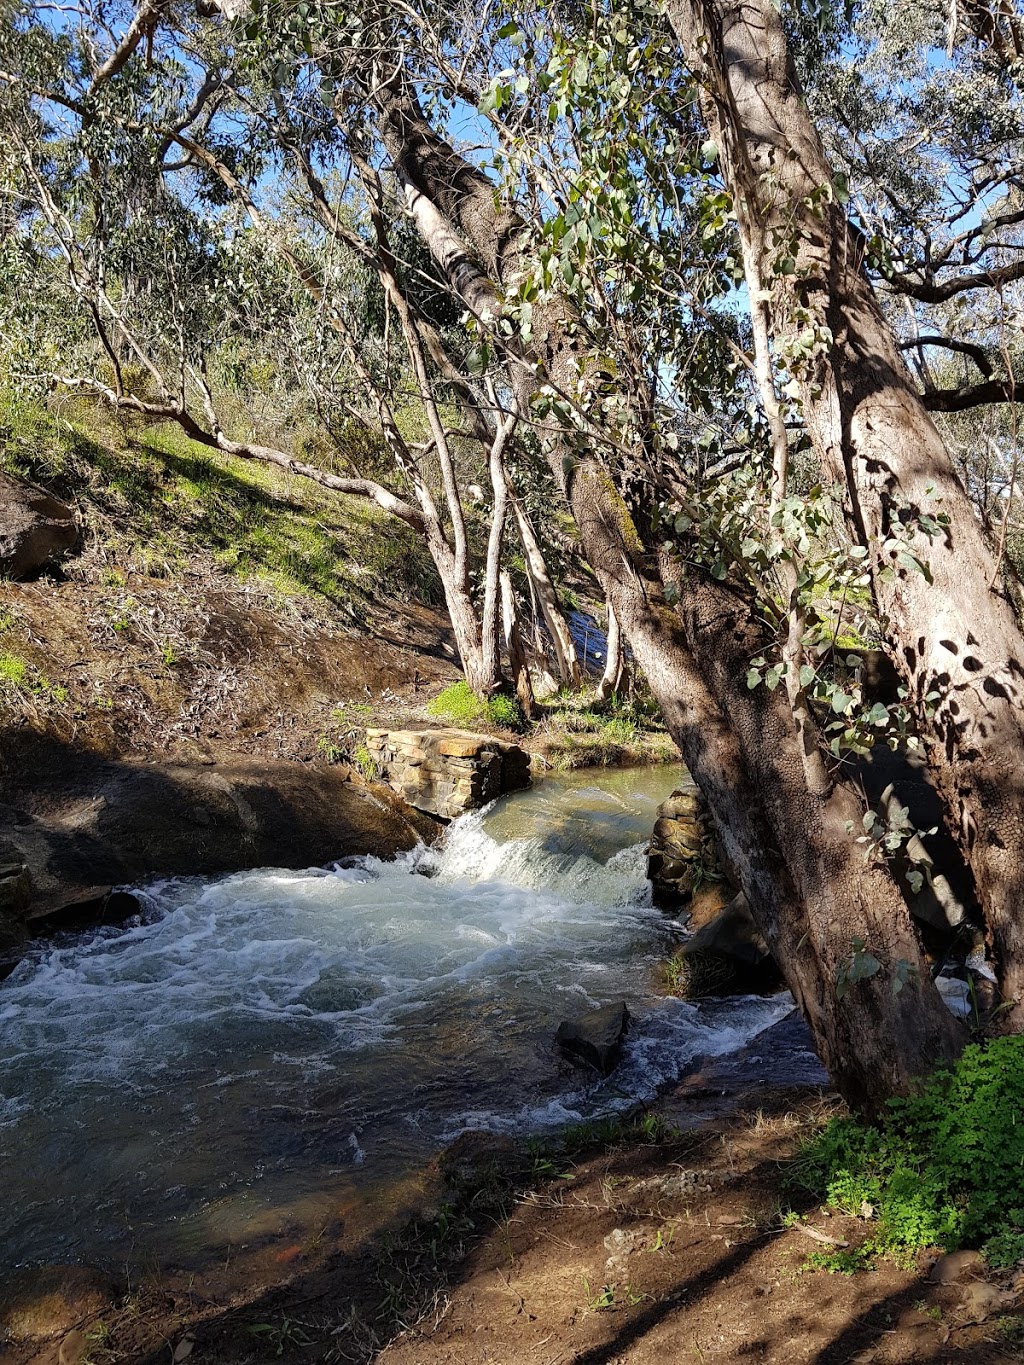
x=158 y=499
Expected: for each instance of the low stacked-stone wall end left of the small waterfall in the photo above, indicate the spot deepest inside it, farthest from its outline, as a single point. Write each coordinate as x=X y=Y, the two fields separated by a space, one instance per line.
x=449 y=772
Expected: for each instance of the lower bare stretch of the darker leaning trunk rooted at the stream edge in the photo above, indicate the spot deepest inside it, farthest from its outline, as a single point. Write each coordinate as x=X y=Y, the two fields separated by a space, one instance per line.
x=812 y=893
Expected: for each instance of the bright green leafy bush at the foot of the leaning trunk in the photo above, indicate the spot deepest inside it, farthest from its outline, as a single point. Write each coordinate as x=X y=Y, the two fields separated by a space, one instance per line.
x=941 y=1169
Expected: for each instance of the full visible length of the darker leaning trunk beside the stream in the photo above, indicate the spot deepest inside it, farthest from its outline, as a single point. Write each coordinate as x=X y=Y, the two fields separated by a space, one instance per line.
x=810 y=892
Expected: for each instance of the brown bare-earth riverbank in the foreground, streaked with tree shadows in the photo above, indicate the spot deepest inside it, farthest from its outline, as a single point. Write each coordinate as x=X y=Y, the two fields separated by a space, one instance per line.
x=633 y=1243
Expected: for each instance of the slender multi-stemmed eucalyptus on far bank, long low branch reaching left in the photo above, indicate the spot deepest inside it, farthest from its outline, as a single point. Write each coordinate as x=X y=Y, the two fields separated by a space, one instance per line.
x=167 y=220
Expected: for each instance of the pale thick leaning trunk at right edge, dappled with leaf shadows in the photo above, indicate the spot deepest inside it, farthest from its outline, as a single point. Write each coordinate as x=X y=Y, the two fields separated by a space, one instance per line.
x=954 y=634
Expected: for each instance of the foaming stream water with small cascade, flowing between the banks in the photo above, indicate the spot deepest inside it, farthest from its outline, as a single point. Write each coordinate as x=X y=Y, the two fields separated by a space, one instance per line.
x=267 y=1046
